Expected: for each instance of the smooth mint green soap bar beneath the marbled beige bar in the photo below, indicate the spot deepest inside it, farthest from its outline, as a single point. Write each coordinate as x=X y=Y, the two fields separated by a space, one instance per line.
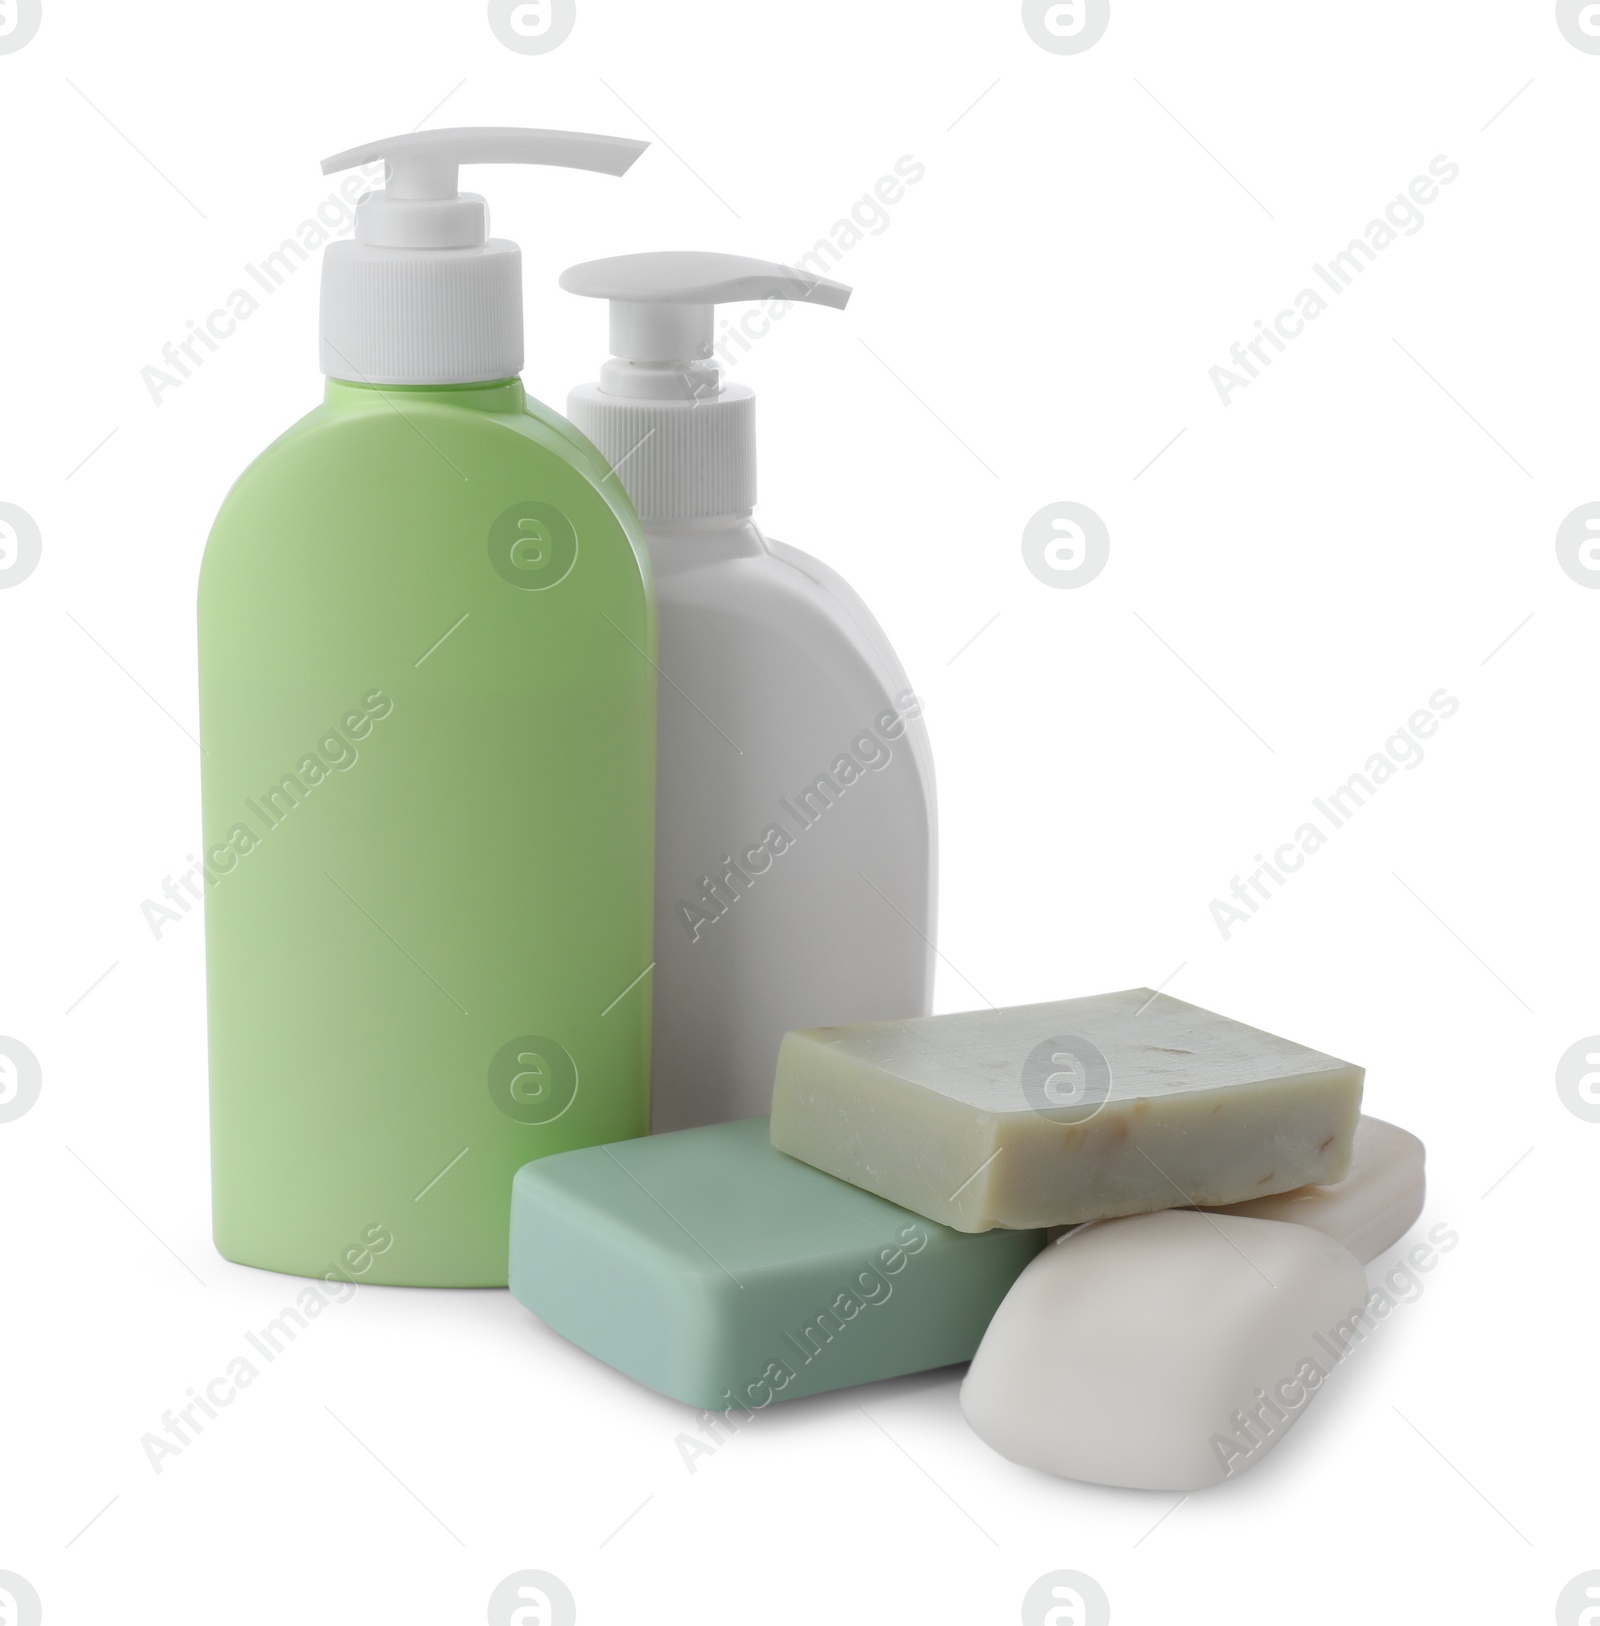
x=724 y=1274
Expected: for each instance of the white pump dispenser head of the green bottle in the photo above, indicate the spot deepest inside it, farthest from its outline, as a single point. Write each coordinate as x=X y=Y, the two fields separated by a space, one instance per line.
x=424 y=295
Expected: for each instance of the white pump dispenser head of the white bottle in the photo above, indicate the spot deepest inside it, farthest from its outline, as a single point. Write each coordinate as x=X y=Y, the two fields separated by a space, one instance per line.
x=682 y=440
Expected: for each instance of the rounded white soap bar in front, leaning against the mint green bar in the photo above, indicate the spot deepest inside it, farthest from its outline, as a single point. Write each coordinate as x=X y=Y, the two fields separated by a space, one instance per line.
x=1167 y=1352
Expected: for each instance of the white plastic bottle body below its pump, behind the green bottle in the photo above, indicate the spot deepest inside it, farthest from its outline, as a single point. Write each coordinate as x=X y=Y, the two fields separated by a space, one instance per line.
x=796 y=851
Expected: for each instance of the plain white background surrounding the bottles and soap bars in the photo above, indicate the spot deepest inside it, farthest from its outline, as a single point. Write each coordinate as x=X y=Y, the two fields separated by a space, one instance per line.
x=1290 y=580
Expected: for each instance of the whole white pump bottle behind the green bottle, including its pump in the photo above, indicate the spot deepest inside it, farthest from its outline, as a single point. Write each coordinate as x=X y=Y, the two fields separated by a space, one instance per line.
x=796 y=827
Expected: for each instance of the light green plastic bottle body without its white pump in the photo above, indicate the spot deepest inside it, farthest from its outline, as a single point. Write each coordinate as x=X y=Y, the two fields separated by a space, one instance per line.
x=428 y=715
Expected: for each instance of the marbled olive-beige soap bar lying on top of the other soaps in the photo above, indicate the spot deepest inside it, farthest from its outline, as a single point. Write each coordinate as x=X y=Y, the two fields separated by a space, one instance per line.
x=1053 y=1115
